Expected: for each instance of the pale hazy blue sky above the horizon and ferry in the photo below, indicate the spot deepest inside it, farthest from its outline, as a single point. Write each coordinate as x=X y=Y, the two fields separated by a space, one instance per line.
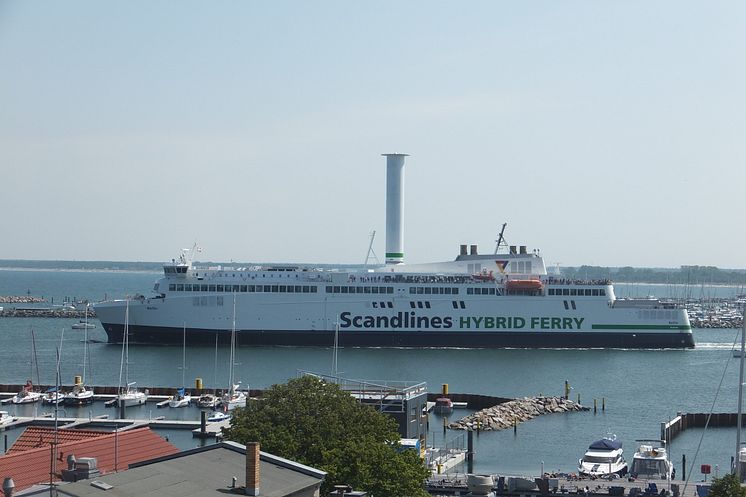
x=603 y=133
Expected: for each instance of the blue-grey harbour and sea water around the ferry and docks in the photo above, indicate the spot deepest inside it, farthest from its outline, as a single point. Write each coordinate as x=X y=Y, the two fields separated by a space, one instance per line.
x=640 y=388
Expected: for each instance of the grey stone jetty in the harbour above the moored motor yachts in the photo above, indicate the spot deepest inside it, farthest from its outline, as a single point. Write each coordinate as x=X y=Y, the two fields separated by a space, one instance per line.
x=509 y=414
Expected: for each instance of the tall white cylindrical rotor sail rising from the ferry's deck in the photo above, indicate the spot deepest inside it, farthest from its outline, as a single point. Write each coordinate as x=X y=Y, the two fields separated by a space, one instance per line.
x=394 y=207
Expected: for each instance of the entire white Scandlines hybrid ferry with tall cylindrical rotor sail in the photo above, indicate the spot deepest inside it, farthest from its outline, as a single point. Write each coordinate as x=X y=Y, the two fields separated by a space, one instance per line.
x=501 y=300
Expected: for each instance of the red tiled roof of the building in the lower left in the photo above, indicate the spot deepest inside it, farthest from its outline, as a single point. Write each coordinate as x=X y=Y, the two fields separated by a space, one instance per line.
x=32 y=466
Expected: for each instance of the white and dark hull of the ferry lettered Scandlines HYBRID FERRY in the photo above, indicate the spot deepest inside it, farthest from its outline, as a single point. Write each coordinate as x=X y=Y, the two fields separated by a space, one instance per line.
x=399 y=318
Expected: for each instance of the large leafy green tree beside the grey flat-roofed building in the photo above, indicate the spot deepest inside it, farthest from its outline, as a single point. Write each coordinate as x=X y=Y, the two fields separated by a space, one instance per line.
x=318 y=424
